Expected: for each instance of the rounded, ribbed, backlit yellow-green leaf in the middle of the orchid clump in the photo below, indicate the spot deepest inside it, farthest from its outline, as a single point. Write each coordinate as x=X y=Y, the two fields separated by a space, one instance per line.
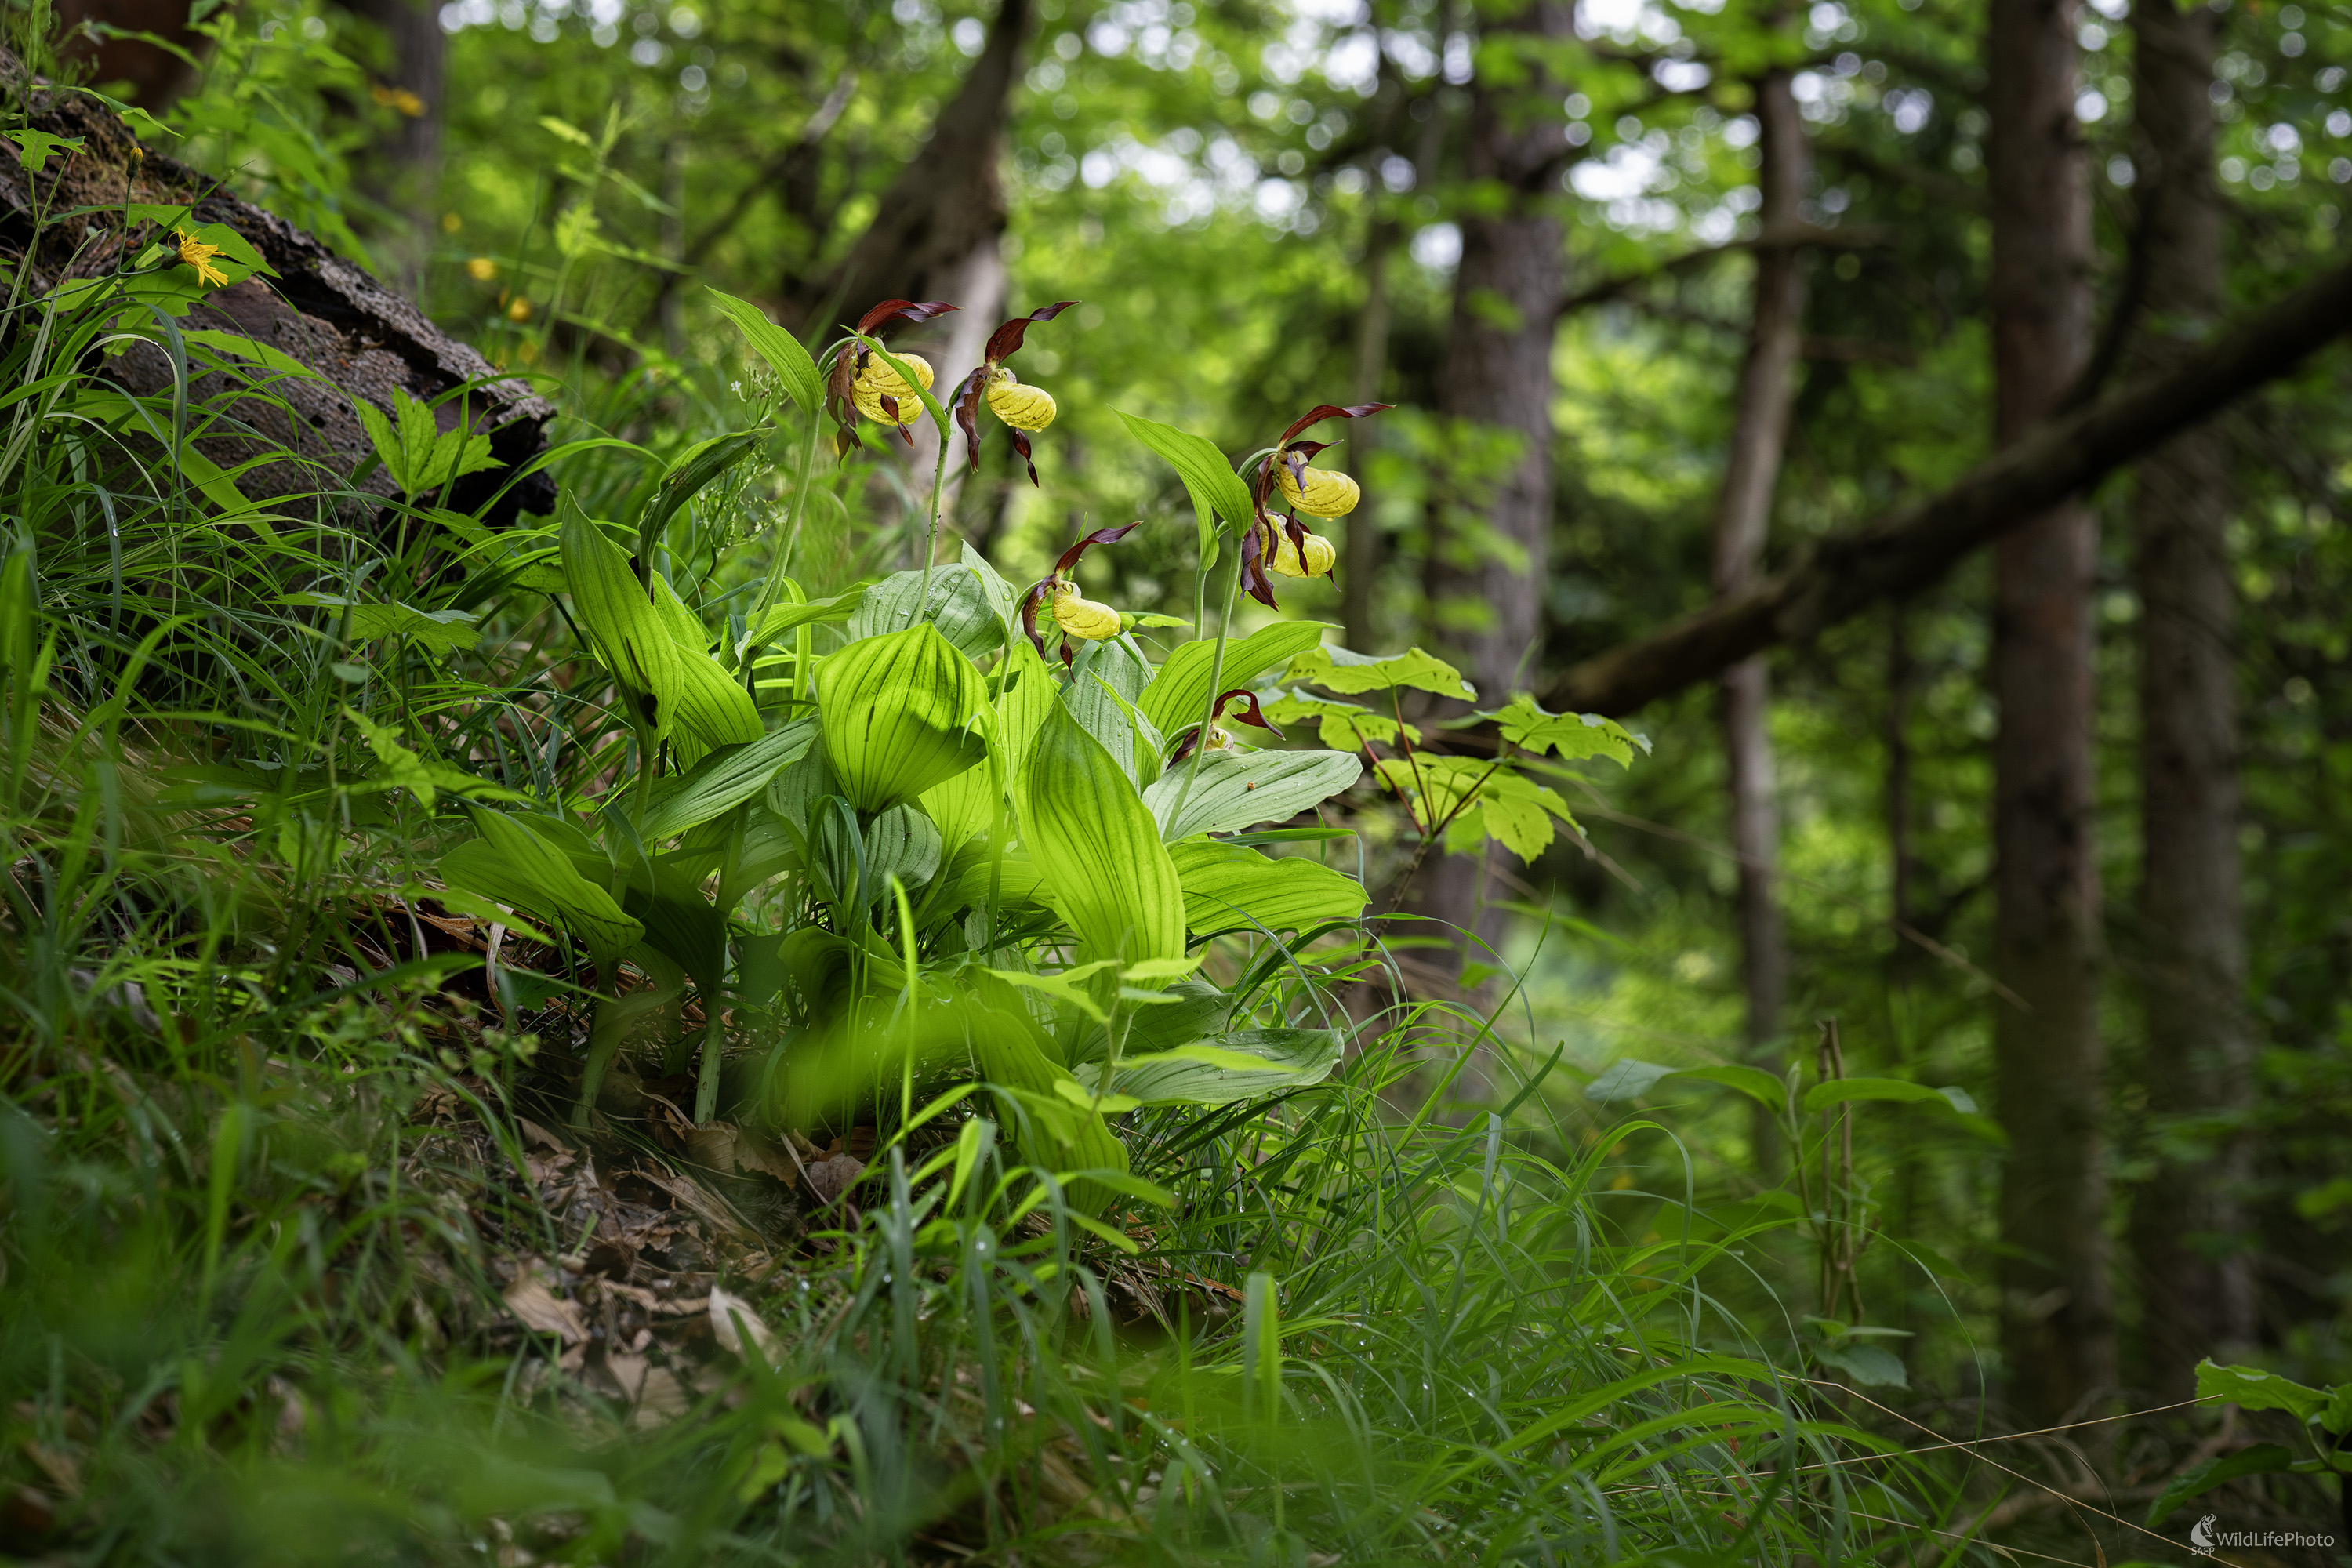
x=902 y=713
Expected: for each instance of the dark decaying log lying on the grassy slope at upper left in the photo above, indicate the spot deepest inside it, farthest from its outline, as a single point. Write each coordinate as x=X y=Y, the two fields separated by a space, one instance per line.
x=323 y=311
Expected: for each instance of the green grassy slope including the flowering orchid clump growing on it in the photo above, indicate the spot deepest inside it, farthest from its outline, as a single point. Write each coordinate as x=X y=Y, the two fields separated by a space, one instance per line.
x=439 y=956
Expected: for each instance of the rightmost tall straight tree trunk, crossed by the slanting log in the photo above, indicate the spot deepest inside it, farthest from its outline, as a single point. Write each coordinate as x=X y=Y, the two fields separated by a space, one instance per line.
x=2196 y=1287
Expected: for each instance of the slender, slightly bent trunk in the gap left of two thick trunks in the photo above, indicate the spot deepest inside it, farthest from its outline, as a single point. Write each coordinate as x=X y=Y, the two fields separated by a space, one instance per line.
x=1742 y=521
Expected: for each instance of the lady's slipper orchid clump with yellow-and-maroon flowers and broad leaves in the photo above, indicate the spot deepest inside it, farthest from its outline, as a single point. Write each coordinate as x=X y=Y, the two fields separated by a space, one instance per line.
x=928 y=859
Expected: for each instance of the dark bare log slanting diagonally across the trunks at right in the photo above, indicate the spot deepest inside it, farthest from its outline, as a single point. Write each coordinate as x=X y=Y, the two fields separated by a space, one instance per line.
x=1845 y=575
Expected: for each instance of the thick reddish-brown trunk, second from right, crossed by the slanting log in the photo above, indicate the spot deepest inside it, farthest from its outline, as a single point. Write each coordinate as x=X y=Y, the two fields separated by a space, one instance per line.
x=2057 y=1308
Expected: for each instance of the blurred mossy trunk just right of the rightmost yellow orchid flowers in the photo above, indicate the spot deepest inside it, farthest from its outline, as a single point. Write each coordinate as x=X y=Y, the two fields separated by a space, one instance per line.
x=1499 y=373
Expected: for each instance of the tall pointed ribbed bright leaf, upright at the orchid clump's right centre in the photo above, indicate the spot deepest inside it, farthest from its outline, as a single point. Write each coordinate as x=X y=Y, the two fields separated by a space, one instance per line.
x=1100 y=850
